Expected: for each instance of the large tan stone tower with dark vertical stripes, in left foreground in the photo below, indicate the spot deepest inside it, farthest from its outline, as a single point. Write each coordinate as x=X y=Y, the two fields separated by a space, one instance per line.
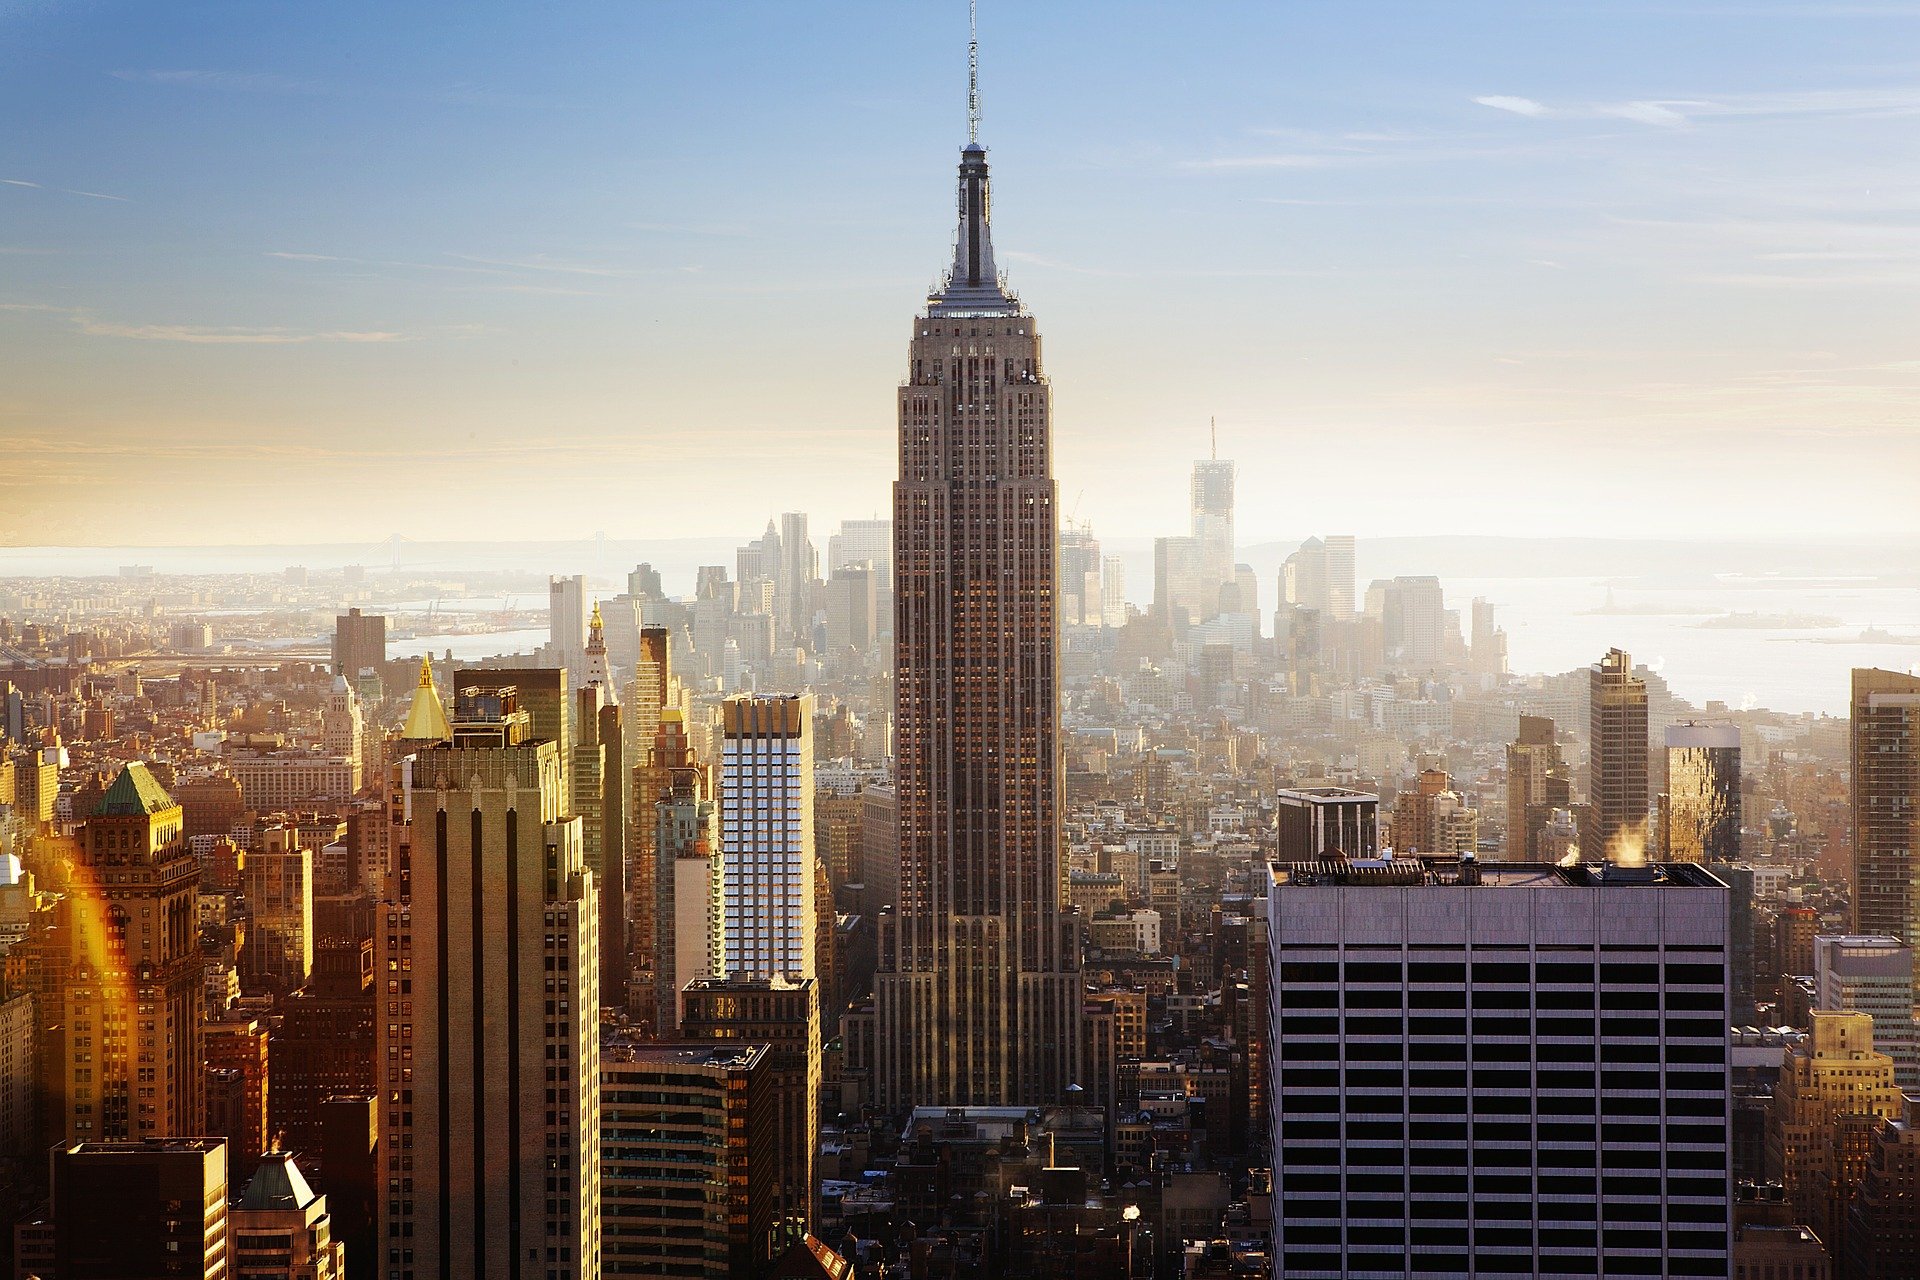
x=492 y=987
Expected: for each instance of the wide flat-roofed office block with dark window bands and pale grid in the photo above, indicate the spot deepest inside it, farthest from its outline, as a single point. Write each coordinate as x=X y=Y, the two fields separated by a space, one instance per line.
x=1510 y=1070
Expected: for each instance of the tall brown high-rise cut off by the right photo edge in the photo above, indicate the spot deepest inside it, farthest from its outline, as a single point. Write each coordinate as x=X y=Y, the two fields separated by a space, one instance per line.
x=1886 y=805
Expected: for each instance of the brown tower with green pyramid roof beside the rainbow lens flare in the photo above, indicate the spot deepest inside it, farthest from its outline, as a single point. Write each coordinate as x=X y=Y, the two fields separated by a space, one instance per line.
x=132 y=989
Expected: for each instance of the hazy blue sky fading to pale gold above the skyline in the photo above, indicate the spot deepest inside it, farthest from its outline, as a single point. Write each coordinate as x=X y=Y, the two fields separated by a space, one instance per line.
x=279 y=273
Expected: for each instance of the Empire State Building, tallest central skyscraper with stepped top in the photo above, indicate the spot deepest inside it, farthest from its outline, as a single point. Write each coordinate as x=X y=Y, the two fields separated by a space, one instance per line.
x=978 y=991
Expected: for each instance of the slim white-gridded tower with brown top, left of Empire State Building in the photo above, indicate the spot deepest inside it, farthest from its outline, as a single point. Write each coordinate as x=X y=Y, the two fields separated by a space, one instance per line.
x=767 y=838
